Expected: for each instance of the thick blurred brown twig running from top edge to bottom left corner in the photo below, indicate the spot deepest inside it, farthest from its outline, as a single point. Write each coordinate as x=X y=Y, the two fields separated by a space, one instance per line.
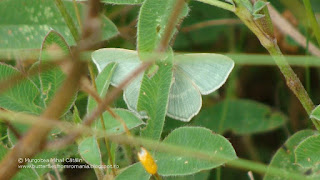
x=34 y=141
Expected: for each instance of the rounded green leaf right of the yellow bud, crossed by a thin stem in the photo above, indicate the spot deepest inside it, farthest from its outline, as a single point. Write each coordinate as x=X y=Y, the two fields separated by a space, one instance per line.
x=197 y=139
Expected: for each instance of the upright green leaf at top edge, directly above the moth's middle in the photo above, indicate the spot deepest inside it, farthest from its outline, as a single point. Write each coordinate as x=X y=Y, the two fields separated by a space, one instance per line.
x=153 y=18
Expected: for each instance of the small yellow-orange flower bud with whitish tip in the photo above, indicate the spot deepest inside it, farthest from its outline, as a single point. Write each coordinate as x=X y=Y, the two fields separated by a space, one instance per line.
x=147 y=161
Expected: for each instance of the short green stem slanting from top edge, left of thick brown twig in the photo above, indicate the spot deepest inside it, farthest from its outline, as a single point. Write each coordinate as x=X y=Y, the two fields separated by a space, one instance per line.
x=67 y=18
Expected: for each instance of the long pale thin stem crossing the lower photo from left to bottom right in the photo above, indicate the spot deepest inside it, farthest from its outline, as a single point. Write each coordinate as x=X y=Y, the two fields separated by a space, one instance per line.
x=150 y=144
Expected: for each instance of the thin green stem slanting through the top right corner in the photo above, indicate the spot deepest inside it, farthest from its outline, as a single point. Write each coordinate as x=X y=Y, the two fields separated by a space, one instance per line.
x=312 y=20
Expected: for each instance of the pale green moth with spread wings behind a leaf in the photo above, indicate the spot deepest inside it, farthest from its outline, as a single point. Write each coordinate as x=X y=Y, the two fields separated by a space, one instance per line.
x=193 y=75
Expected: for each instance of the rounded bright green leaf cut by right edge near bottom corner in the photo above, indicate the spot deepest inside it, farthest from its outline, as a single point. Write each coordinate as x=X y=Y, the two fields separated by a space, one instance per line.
x=308 y=152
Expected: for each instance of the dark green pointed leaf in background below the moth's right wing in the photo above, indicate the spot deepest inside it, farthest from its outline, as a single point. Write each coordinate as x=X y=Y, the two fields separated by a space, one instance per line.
x=239 y=116
